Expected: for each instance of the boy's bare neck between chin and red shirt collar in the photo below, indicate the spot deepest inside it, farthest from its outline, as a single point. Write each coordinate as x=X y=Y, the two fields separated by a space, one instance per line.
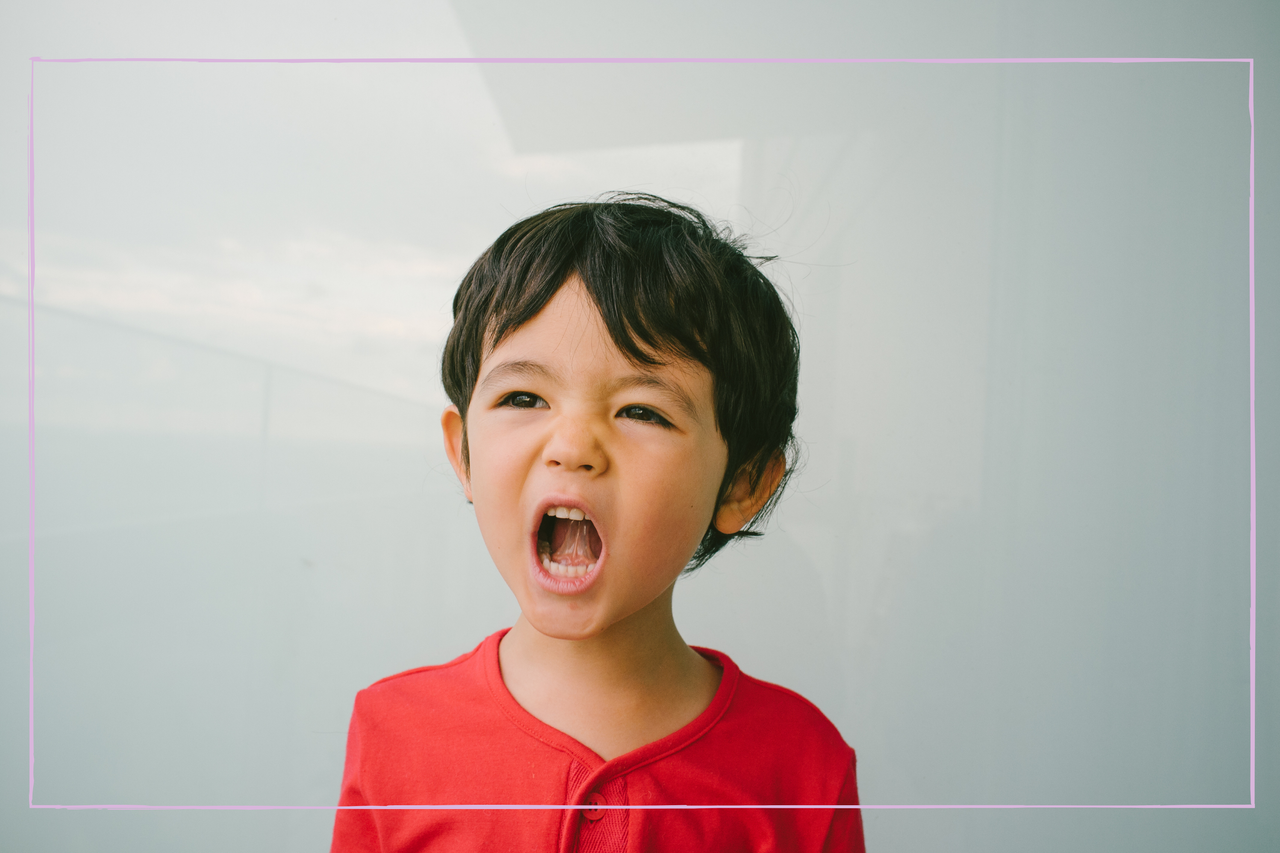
x=634 y=683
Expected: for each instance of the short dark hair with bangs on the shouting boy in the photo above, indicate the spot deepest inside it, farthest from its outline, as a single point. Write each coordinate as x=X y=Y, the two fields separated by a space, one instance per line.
x=669 y=285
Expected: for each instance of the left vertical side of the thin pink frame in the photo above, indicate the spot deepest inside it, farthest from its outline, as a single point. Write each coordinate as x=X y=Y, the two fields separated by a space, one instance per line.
x=31 y=439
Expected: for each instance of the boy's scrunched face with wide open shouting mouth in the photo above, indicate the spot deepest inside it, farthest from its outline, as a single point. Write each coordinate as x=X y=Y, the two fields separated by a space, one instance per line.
x=561 y=421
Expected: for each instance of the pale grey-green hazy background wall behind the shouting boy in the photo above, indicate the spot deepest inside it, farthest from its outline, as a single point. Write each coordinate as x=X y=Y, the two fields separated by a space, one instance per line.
x=1013 y=571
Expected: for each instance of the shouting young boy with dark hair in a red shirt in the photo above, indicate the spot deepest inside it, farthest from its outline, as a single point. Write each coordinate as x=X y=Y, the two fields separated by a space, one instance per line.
x=624 y=386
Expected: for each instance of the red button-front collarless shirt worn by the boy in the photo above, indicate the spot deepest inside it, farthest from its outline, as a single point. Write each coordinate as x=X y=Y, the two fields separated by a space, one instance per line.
x=452 y=735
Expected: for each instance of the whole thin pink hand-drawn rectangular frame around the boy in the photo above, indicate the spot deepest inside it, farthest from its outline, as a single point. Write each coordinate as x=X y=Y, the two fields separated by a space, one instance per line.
x=31 y=408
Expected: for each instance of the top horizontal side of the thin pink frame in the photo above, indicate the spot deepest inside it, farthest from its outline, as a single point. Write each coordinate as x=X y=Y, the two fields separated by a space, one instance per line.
x=570 y=61
